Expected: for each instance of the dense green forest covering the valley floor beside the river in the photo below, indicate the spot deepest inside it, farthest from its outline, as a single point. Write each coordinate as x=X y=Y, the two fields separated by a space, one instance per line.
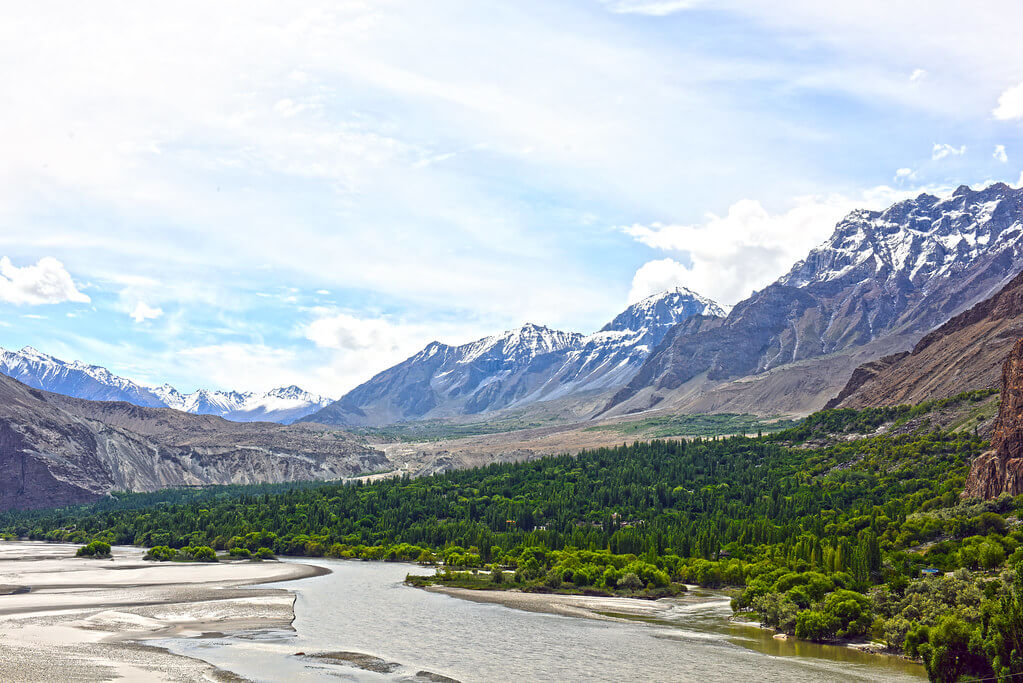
x=828 y=531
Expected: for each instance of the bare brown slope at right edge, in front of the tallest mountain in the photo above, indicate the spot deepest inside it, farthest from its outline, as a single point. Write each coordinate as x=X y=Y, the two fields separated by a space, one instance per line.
x=965 y=353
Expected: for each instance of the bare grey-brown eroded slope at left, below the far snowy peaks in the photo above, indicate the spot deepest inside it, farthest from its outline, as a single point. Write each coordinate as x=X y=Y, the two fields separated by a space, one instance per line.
x=58 y=450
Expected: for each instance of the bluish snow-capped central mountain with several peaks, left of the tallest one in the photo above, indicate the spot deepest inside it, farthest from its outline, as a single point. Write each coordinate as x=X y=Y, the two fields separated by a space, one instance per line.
x=517 y=368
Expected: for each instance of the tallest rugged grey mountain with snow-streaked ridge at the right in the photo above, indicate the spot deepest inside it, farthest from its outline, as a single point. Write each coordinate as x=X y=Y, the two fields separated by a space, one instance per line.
x=881 y=282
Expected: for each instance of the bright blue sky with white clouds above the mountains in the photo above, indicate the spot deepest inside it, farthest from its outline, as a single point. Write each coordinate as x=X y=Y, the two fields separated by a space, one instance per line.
x=250 y=195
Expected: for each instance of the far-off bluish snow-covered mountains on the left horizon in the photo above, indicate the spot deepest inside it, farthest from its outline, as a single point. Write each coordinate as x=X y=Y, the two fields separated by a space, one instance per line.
x=98 y=384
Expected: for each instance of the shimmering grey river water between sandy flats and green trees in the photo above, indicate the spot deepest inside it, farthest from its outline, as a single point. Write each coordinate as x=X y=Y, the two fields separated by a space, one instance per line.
x=365 y=608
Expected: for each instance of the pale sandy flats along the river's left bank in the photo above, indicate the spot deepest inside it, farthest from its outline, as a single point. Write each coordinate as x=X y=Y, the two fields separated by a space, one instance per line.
x=64 y=618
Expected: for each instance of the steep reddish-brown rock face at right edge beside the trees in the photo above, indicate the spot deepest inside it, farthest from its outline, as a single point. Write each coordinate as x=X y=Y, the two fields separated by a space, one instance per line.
x=1001 y=470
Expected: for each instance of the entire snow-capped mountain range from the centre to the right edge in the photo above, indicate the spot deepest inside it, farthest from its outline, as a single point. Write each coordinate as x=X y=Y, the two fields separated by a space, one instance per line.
x=880 y=283
